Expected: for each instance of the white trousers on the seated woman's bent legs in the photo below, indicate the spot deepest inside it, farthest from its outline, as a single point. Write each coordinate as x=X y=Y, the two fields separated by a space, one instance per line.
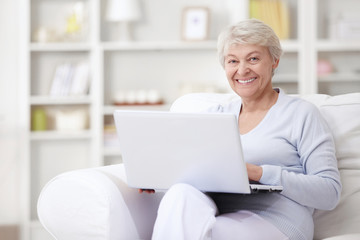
x=186 y=213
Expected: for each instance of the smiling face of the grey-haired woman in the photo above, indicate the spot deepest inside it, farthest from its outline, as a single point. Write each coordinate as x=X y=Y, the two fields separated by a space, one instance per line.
x=249 y=69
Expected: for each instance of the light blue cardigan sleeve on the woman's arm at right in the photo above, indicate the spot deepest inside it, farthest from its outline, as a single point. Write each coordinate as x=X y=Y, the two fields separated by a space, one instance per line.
x=318 y=186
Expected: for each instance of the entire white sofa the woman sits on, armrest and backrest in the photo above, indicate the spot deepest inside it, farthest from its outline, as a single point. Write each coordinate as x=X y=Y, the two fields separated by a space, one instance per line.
x=96 y=204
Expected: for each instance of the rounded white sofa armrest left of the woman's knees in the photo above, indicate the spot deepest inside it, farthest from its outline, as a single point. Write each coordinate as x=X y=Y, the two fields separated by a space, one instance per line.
x=96 y=203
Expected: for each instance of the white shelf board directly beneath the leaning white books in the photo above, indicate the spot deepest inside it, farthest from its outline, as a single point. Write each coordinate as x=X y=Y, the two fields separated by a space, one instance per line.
x=66 y=100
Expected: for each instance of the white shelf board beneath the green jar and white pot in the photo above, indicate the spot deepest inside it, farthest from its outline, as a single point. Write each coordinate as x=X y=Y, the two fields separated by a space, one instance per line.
x=60 y=135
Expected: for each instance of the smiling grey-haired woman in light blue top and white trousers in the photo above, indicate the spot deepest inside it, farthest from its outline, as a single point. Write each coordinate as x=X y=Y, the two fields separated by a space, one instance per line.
x=285 y=142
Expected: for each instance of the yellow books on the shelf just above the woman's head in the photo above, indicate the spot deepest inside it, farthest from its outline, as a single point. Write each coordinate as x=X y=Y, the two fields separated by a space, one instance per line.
x=275 y=13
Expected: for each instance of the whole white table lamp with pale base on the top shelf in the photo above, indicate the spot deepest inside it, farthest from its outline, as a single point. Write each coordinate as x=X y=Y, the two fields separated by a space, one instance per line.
x=123 y=12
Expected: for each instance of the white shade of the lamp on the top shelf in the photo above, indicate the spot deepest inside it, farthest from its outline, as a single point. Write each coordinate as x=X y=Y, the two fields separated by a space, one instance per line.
x=122 y=10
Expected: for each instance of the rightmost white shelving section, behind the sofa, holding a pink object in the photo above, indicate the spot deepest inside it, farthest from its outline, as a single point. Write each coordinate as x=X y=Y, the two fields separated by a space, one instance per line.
x=339 y=50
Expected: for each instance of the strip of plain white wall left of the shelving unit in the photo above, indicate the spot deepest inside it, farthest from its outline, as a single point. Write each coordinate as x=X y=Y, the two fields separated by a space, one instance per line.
x=9 y=162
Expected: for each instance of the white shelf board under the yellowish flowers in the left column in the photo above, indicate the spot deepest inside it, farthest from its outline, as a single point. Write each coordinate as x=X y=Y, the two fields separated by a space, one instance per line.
x=61 y=47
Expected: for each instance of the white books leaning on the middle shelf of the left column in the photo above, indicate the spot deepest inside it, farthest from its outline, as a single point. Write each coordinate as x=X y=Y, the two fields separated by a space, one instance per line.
x=70 y=80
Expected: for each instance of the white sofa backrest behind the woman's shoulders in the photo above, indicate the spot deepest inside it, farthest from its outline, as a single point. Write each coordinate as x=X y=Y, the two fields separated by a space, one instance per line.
x=342 y=114
